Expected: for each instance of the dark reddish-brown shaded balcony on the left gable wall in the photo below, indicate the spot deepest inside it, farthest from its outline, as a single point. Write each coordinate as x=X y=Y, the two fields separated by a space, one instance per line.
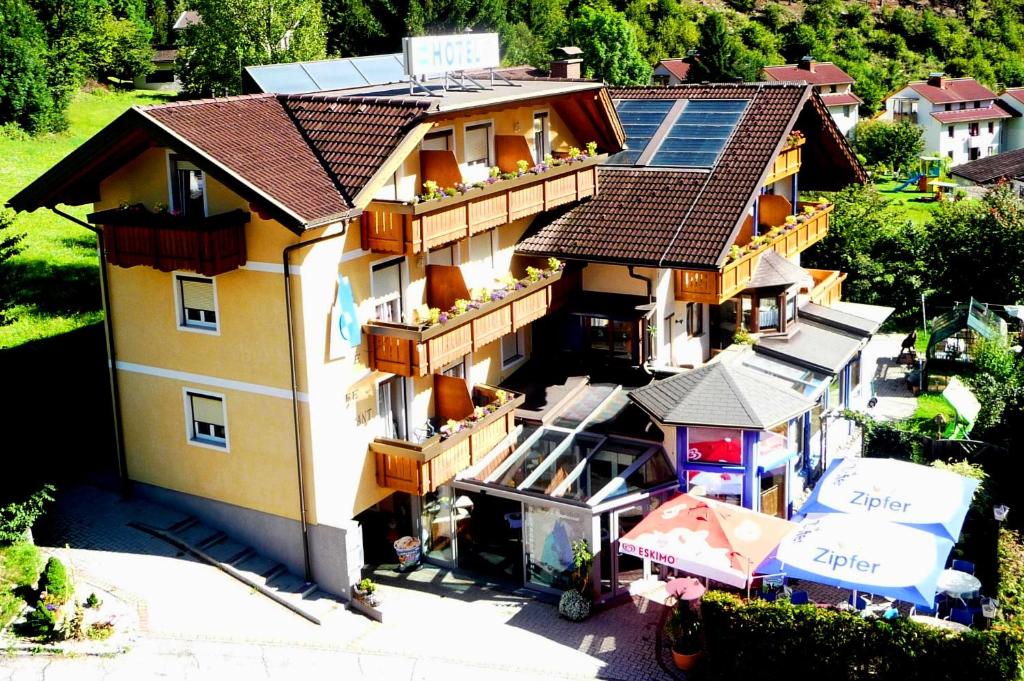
x=209 y=246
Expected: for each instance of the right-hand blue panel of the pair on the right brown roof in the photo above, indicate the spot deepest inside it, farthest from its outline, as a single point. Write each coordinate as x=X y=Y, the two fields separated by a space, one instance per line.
x=700 y=134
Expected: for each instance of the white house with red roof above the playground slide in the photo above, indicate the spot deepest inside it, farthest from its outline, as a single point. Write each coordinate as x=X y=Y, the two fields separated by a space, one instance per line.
x=962 y=119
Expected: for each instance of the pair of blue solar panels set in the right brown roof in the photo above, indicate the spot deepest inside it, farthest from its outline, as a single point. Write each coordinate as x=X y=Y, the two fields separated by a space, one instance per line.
x=677 y=134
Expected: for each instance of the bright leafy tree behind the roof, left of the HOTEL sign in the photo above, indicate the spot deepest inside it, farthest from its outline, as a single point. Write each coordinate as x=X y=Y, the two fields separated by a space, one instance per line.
x=235 y=34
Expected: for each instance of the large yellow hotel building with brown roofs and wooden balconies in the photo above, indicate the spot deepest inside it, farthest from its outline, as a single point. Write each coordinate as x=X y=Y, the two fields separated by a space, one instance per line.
x=317 y=361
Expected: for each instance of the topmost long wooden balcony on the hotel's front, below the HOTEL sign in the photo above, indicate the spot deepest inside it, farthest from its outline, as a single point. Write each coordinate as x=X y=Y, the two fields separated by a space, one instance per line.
x=391 y=227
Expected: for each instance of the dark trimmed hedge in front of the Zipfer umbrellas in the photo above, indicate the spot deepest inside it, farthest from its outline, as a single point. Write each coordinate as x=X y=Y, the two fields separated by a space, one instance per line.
x=770 y=641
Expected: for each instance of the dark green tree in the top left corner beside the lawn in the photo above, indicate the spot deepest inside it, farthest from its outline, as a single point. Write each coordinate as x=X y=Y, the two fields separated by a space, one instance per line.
x=25 y=97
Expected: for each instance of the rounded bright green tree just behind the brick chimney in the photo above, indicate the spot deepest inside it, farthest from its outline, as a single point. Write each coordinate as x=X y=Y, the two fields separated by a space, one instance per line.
x=610 y=45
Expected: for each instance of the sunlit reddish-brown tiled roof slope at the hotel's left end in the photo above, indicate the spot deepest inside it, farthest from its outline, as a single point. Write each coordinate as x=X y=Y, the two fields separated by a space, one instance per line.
x=254 y=139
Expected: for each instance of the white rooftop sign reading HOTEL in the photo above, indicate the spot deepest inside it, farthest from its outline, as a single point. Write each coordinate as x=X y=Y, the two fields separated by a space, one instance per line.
x=432 y=56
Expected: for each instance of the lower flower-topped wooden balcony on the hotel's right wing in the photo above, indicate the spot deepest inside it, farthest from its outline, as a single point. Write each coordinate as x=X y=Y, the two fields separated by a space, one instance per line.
x=717 y=287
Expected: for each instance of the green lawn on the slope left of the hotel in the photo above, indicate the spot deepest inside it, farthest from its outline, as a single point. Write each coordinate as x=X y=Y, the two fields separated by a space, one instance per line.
x=57 y=270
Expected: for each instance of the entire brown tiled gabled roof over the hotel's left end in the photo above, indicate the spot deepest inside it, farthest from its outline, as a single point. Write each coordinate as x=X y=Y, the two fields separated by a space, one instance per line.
x=278 y=152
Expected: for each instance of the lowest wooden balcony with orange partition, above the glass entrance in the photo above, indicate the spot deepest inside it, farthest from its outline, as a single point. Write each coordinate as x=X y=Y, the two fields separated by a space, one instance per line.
x=422 y=467
